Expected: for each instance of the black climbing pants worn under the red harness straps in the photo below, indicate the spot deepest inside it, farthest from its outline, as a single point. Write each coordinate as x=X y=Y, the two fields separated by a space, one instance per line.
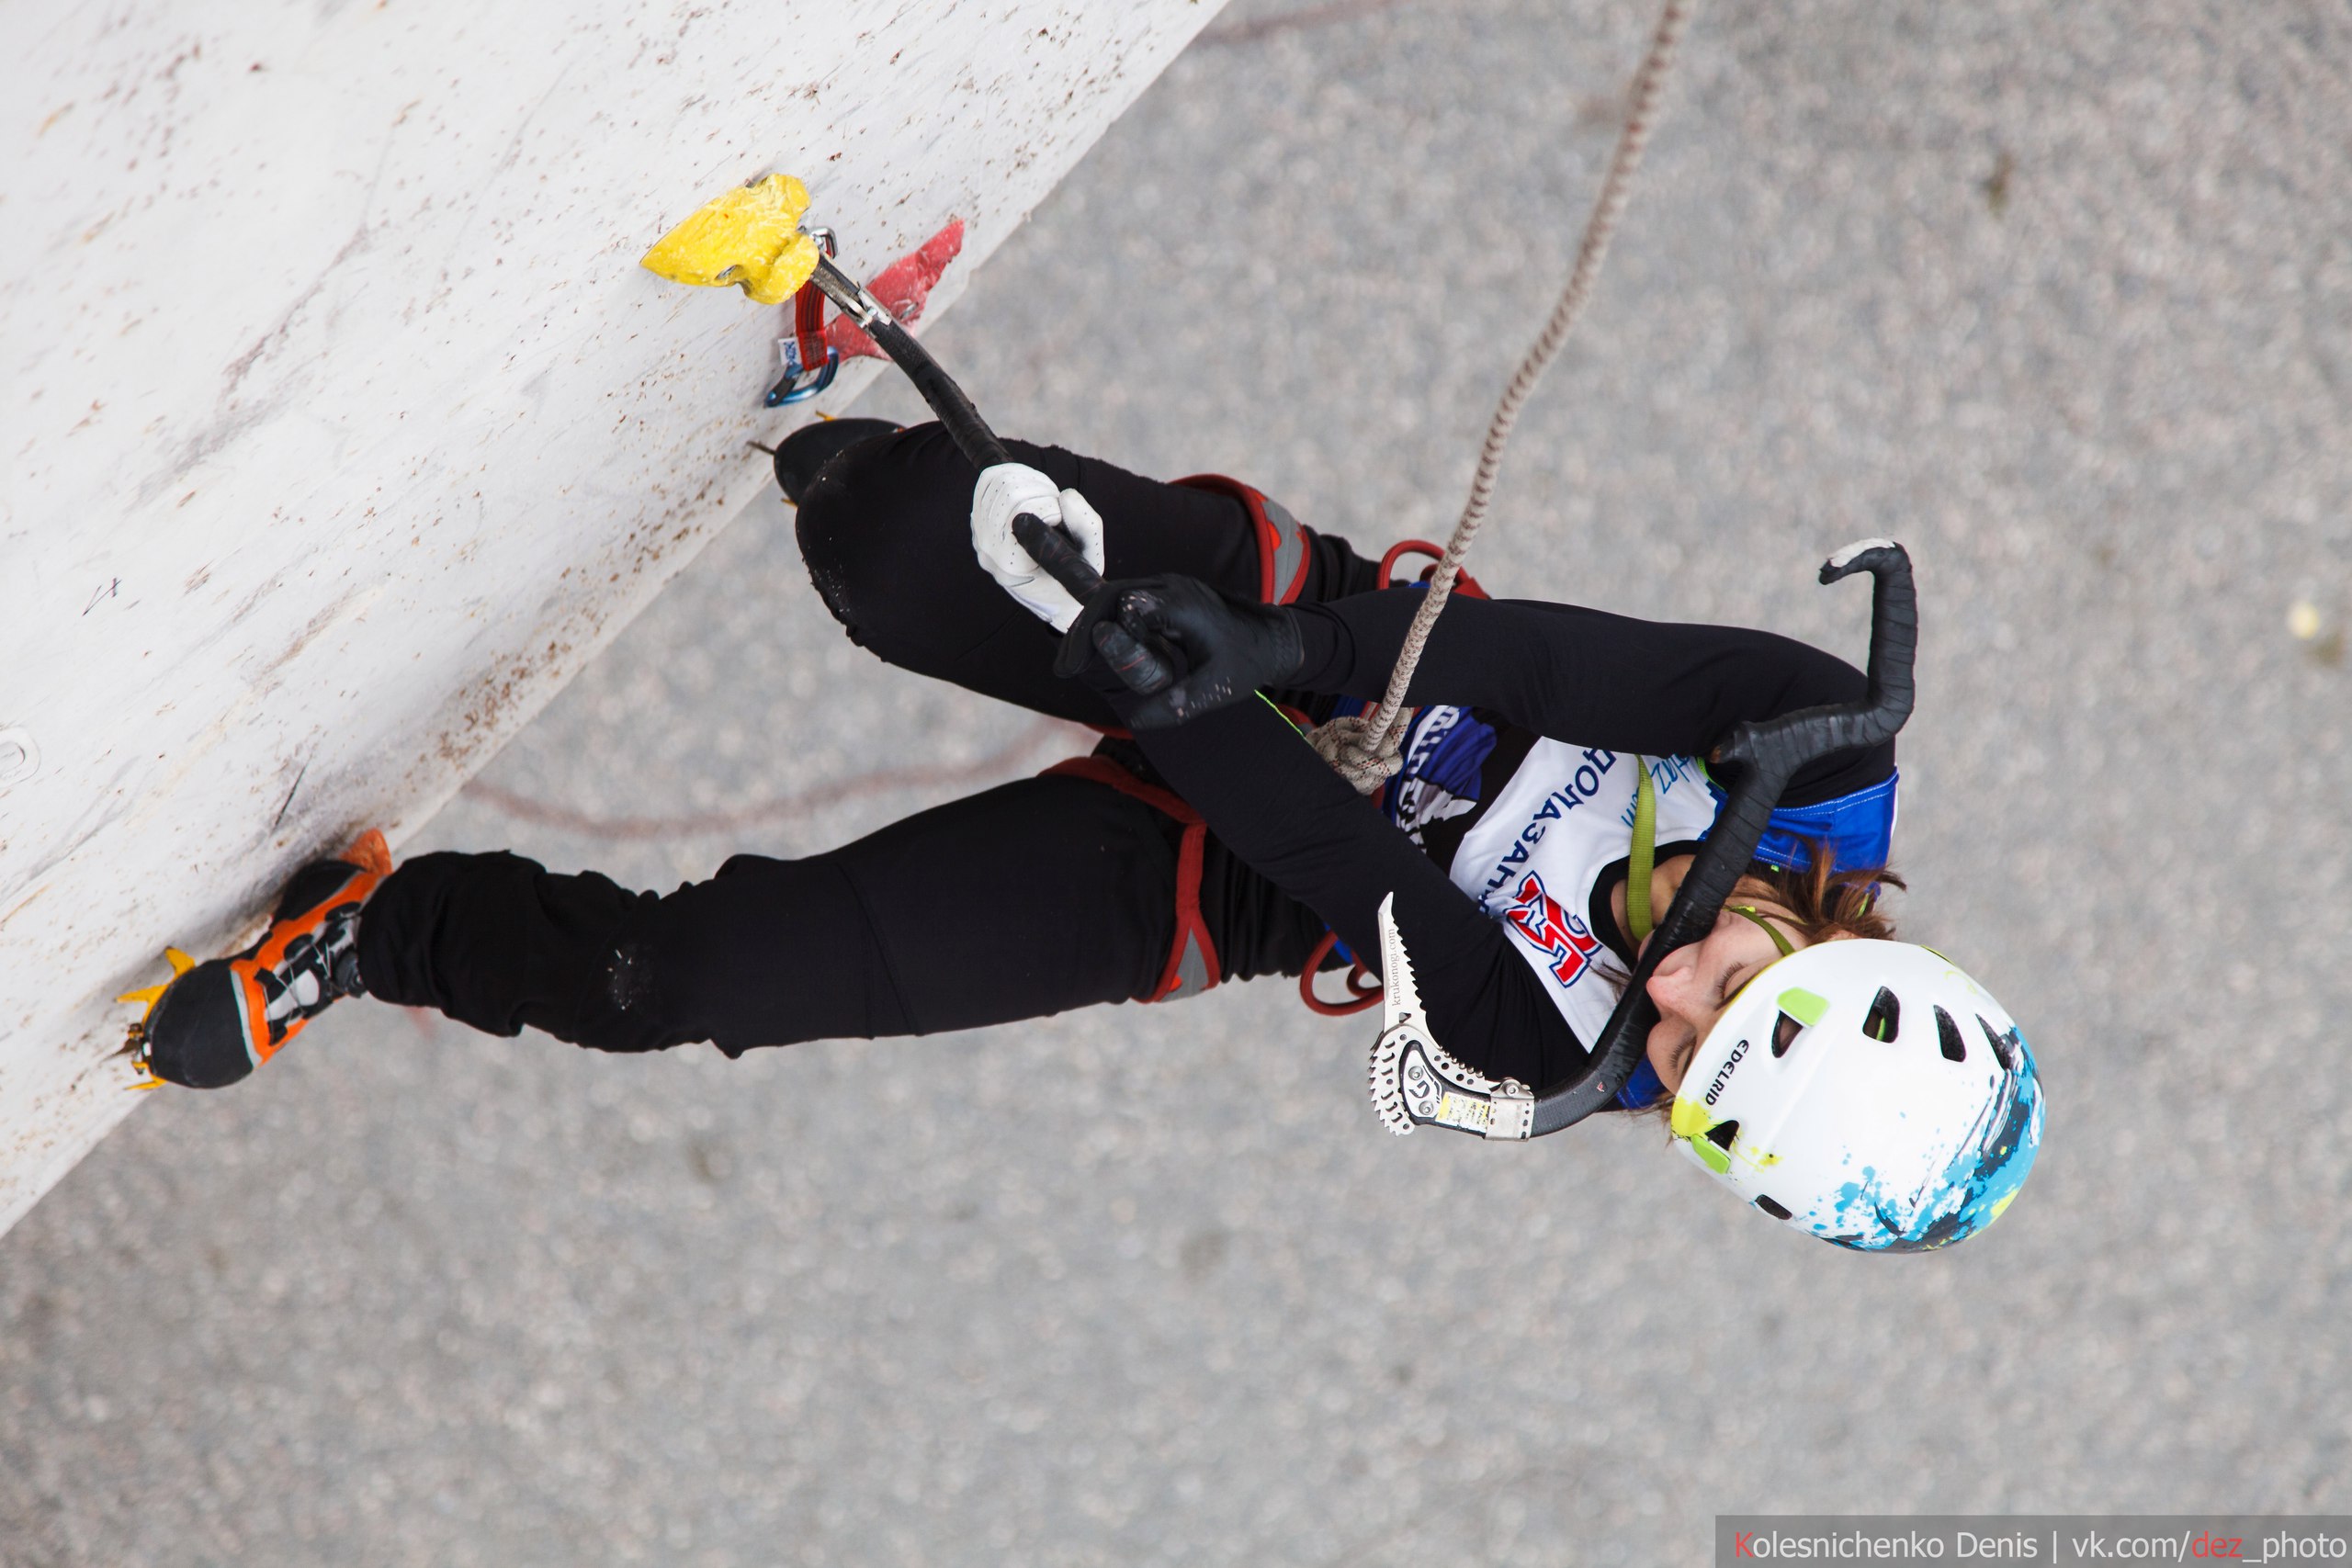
x=1013 y=904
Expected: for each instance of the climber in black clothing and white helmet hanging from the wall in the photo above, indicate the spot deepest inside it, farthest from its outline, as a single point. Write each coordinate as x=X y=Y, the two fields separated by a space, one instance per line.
x=1847 y=1085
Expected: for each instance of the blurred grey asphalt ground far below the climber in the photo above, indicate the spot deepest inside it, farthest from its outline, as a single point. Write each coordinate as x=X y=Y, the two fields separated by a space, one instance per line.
x=2057 y=295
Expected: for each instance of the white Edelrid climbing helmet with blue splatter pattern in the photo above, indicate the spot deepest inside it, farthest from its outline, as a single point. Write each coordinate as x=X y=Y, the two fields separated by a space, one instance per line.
x=1869 y=1094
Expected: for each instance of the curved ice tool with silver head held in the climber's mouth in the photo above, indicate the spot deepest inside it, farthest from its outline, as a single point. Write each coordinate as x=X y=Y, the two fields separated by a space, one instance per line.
x=1768 y=756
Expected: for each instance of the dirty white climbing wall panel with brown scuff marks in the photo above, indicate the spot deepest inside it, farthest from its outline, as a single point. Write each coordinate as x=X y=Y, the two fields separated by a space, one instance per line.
x=342 y=424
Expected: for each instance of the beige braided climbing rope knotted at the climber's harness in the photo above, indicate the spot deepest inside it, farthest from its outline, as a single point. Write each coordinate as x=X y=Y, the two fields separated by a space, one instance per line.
x=1365 y=746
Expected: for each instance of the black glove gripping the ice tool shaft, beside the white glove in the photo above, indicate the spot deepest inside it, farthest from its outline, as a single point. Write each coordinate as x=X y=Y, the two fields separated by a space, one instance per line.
x=1229 y=645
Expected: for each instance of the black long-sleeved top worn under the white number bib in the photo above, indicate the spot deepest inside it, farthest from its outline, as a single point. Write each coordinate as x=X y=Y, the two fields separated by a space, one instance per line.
x=1539 y=671
